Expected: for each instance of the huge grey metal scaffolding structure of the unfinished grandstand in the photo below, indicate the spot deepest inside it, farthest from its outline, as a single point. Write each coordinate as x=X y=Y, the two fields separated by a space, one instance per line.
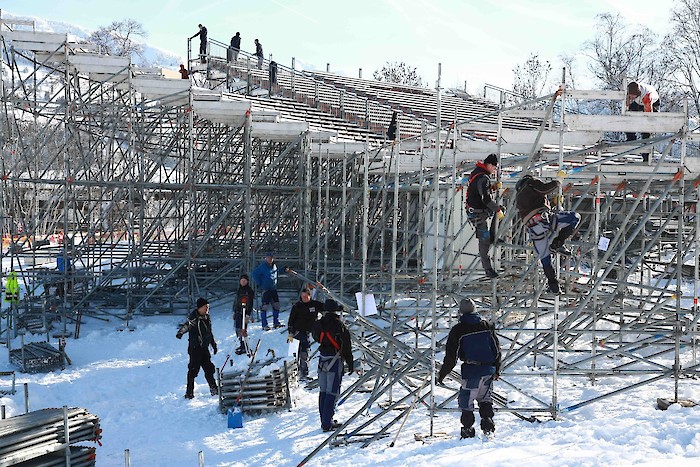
x=153 y=191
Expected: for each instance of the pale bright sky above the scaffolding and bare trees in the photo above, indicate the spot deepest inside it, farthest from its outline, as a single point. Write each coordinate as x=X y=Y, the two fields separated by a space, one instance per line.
x=477 y=41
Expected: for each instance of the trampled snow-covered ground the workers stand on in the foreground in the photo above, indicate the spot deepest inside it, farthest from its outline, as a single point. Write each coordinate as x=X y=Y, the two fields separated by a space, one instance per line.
x=134 y=382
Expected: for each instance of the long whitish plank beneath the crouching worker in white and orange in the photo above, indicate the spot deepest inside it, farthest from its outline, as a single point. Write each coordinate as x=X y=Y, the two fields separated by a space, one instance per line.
x=652 y=122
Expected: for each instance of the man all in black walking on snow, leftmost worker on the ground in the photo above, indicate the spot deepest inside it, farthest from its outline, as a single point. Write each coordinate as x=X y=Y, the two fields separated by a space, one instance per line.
x=198 y=325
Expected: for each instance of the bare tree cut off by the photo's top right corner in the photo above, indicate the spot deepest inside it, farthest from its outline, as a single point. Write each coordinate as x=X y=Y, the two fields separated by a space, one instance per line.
x=683 y=50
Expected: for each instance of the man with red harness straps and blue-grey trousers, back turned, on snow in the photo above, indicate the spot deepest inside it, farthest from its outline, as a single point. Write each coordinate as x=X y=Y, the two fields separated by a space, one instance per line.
x=334 y=346
